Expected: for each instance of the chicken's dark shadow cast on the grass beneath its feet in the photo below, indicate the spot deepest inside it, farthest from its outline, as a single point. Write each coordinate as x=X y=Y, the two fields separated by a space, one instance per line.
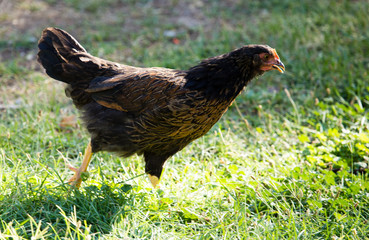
x=94 y=207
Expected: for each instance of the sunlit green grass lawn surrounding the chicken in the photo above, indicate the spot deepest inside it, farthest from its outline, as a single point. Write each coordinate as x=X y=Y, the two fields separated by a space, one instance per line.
x=289 y=160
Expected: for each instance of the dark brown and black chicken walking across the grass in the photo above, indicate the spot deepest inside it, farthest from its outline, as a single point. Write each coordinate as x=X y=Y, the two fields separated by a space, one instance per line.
x=154 y=112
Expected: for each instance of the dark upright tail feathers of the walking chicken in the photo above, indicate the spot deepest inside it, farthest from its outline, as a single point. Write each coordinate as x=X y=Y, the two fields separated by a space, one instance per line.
x=65 y=60
